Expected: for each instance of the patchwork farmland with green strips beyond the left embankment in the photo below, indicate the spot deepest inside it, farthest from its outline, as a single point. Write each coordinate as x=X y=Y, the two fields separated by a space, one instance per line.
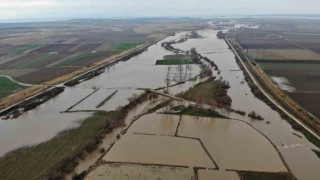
x=40 y=52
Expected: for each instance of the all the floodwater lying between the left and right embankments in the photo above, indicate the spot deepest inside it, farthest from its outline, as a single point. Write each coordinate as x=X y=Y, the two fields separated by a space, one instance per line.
x=152 y=139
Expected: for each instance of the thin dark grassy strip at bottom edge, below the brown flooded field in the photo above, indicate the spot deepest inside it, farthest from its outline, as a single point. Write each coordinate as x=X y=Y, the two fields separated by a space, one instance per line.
x=264 y=176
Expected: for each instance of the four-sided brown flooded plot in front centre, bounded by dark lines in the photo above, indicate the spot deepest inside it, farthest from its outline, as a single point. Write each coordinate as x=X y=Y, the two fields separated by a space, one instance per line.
x=164 y=150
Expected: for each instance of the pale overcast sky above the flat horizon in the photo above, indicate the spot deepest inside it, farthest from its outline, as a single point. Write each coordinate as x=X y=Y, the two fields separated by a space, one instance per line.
x=40 y=9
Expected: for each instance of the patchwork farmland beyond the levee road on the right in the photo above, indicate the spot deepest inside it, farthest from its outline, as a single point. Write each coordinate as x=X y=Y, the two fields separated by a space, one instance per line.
x=288 y=49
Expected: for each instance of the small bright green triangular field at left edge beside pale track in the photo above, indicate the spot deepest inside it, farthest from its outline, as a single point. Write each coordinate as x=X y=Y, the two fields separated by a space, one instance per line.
x=8 y=87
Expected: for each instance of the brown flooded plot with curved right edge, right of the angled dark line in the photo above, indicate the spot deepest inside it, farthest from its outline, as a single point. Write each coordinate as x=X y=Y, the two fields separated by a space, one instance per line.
x=233 y=144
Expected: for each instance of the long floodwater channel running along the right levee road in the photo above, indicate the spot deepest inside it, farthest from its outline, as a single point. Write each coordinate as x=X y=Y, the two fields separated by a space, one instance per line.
x=277 y=130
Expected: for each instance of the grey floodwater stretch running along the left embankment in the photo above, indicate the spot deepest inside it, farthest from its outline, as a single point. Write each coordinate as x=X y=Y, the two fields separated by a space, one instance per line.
x=139 y=72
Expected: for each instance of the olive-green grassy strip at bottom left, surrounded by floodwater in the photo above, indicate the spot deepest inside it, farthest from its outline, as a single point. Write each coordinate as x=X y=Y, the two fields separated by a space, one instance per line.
x=40 y=161
